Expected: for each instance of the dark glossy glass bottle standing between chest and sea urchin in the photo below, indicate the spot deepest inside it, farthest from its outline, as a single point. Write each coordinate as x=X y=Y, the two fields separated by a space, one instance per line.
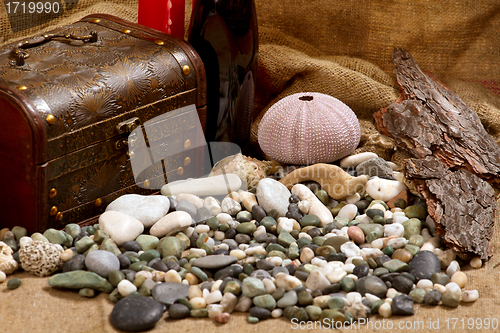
x=224 y=33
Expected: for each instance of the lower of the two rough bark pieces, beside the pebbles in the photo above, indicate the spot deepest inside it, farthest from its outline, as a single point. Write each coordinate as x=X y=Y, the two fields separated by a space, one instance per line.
x=461 y=204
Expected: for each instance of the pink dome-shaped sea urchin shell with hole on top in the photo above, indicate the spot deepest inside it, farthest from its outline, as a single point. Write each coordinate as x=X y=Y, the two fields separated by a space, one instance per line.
x=308 y=128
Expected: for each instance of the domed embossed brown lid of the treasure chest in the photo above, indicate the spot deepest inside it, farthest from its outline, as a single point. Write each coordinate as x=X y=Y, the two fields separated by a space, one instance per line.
x=81 y=81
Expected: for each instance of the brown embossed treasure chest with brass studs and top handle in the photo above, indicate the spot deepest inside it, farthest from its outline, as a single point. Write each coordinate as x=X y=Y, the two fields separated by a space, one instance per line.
x=92 y=111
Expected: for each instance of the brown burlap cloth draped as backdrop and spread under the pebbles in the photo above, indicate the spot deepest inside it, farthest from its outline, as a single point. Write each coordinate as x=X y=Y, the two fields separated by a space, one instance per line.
x=341 y=48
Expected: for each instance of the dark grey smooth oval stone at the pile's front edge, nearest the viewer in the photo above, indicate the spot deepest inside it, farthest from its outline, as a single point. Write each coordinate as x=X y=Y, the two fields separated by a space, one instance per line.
x=137 y=313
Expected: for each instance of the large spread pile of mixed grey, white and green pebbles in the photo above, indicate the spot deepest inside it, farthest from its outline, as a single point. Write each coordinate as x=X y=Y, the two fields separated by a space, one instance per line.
x=376 y=257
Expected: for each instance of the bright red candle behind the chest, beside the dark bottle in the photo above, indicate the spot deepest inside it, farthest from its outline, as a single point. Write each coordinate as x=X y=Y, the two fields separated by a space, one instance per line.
x=163 y=15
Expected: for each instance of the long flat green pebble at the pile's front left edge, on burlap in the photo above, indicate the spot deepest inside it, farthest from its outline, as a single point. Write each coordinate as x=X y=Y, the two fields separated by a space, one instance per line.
x=79 y=280
